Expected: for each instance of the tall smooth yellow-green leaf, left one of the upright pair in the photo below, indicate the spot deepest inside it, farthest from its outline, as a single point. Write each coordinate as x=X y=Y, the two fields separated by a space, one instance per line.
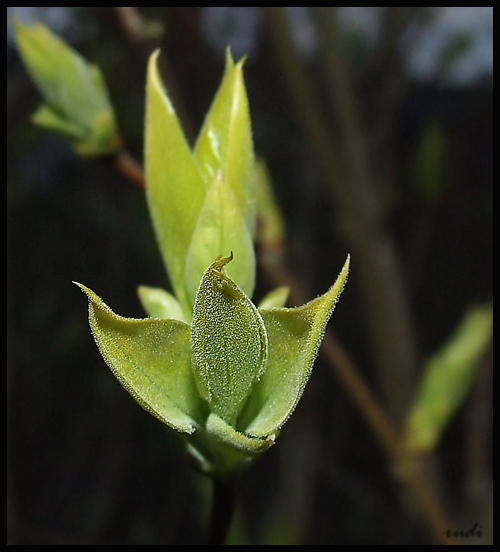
x=174 y=188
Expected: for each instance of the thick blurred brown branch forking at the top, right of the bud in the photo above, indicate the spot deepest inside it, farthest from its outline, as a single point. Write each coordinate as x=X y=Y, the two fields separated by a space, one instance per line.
x=357 y=203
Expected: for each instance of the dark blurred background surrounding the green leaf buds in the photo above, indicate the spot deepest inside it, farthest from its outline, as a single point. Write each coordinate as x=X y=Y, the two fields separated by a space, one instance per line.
x=403 y=122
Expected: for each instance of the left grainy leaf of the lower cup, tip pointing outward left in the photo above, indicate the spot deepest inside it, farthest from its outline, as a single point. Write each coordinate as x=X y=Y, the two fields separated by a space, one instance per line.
x=151 y=359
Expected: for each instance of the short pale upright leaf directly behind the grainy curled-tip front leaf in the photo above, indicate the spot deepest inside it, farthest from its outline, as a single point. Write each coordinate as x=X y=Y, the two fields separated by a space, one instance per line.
x=220 y=229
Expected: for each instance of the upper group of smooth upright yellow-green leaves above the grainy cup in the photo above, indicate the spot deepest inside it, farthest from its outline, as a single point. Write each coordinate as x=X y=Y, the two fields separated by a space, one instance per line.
x=202 y=202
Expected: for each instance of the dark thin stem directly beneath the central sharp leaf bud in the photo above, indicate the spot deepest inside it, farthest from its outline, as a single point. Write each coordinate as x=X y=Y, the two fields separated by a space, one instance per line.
x=223 y=505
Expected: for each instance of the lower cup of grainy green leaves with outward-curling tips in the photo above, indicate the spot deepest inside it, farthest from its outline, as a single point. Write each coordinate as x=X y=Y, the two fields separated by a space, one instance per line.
x=230 y=380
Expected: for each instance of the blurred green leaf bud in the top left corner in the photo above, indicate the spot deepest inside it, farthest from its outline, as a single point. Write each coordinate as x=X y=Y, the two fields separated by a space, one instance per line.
x=75 y=94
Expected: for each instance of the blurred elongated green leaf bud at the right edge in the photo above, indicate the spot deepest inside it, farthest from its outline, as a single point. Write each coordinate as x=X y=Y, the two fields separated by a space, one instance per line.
x=447 y=379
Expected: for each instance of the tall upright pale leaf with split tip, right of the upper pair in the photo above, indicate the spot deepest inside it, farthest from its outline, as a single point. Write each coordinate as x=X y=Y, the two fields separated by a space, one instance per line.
x=225 y=143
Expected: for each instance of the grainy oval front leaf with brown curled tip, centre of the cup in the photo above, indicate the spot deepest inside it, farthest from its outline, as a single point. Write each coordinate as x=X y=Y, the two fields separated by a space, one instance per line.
x=228 y=341
